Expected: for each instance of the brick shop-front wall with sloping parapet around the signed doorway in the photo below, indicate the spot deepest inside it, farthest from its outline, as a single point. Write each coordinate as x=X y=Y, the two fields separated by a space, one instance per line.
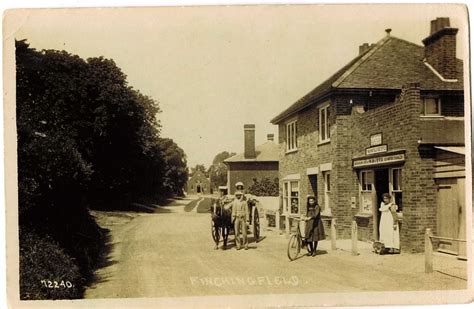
x=399 y=125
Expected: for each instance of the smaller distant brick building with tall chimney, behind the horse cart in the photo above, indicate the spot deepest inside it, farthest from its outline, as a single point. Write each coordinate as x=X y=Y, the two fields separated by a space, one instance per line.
x=256 y=162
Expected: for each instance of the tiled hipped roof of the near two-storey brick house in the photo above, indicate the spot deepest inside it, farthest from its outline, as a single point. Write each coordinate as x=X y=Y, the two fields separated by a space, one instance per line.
x=387 y=65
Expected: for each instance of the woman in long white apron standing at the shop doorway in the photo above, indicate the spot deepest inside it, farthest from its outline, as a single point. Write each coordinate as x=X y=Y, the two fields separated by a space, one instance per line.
x=389 y=229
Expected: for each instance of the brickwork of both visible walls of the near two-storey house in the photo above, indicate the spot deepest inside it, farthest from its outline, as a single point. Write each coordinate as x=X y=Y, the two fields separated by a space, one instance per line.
x=399 y=123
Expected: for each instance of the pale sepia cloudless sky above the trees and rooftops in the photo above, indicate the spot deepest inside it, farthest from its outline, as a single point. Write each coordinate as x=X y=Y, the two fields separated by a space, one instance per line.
x=214 y=69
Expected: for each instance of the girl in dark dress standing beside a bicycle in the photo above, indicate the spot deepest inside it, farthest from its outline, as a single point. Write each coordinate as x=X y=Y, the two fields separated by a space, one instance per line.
x=314 y=225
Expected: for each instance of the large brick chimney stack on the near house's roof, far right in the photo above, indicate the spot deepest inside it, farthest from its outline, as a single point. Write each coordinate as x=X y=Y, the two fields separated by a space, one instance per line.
x=440 y=47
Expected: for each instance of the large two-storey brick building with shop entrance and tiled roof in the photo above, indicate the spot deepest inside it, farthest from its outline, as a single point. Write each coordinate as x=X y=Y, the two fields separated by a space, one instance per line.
x=391 y=120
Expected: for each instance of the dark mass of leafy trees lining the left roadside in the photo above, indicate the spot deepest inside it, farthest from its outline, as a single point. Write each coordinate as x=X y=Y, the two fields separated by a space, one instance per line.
x=85 y=140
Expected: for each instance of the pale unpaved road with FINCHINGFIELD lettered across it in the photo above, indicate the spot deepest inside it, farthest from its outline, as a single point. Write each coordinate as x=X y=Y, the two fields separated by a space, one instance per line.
x=170 y=253
